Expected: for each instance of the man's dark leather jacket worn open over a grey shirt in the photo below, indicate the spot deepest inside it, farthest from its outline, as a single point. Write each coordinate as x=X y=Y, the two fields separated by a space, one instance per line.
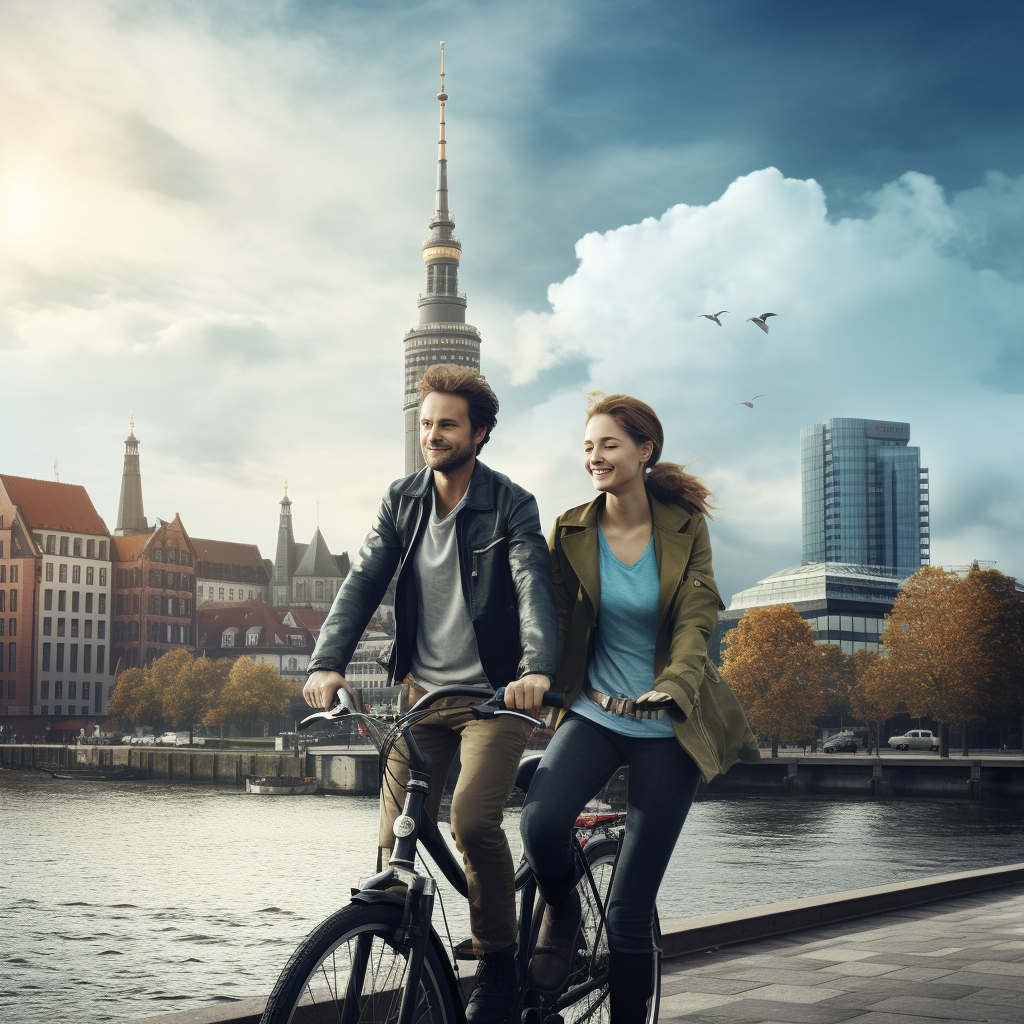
x=506 y=579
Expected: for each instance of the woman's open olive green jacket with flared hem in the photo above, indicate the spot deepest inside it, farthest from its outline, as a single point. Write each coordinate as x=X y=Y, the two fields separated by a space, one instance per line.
x=708 y=720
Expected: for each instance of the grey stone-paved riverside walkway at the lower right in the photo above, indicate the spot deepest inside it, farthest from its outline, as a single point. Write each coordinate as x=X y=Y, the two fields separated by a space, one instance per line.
x=959 y=960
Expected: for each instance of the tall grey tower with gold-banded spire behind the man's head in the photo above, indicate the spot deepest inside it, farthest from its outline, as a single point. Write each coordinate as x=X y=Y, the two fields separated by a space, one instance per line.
x=442 y=334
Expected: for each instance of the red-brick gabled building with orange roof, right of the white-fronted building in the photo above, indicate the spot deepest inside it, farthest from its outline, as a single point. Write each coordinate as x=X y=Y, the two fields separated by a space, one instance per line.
x=154 y=595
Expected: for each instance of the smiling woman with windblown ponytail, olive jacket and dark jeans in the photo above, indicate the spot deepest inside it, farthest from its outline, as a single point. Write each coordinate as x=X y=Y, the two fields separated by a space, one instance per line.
x=636 y=605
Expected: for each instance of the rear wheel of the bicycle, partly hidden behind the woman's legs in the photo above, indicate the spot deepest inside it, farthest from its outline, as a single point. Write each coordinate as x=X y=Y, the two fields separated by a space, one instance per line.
x=590 y=964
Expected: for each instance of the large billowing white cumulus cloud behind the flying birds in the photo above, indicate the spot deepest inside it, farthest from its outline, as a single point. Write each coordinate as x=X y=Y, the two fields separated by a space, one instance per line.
x=895 y=316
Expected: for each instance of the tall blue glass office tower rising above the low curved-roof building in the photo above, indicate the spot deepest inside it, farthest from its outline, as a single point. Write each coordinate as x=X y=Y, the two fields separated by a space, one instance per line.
x=865 y=495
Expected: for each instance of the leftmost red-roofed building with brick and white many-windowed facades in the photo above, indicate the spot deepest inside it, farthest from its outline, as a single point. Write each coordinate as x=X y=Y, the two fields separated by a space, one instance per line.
x=55 y=557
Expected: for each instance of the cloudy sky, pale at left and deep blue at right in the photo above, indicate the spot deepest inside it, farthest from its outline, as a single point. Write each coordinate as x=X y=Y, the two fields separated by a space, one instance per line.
x=211 y=217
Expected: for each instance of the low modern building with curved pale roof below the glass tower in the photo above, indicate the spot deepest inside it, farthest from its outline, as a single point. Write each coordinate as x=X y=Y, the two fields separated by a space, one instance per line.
x=845 y=605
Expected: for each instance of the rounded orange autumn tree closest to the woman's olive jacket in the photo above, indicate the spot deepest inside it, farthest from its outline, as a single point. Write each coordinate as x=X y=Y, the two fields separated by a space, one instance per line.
x=775 y=668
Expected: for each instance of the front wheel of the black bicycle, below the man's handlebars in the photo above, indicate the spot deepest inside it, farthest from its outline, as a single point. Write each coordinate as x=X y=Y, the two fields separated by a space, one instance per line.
x=355 y=950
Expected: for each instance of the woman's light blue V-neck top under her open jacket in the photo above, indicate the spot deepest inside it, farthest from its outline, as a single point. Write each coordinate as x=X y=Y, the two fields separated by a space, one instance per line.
x=623 y=661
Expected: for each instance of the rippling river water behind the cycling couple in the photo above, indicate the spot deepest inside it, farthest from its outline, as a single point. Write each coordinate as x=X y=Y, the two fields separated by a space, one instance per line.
x=121 y=901
